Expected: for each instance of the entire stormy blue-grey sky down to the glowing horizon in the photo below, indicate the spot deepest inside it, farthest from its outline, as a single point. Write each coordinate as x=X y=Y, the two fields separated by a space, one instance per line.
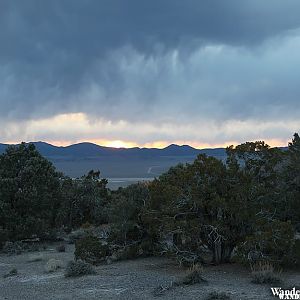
x=128 y=73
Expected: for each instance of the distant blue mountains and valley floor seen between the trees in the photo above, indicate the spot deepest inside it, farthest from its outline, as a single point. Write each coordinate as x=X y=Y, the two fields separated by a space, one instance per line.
x=121 y=166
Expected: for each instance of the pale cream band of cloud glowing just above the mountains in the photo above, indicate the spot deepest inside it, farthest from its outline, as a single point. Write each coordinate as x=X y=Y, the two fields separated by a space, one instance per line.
x=66 y=129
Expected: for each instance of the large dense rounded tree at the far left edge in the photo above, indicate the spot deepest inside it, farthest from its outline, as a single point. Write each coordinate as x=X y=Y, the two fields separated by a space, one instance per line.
x=30 y=182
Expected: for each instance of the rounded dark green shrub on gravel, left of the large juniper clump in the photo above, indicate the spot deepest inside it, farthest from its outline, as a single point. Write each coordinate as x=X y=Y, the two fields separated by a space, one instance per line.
x=91 y=250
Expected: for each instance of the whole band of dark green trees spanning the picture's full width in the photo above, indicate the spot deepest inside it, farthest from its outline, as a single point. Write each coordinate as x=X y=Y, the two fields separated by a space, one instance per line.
x=248 y=207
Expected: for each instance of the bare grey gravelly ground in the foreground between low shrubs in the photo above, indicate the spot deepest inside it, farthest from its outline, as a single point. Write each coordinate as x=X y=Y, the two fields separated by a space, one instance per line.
x=132 y=279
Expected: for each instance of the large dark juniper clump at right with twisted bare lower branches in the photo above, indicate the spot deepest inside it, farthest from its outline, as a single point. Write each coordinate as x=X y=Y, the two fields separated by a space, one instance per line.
x=251 y=202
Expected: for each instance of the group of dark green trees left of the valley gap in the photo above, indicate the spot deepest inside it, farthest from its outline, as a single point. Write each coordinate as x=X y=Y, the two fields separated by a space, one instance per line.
x=36 y=200
